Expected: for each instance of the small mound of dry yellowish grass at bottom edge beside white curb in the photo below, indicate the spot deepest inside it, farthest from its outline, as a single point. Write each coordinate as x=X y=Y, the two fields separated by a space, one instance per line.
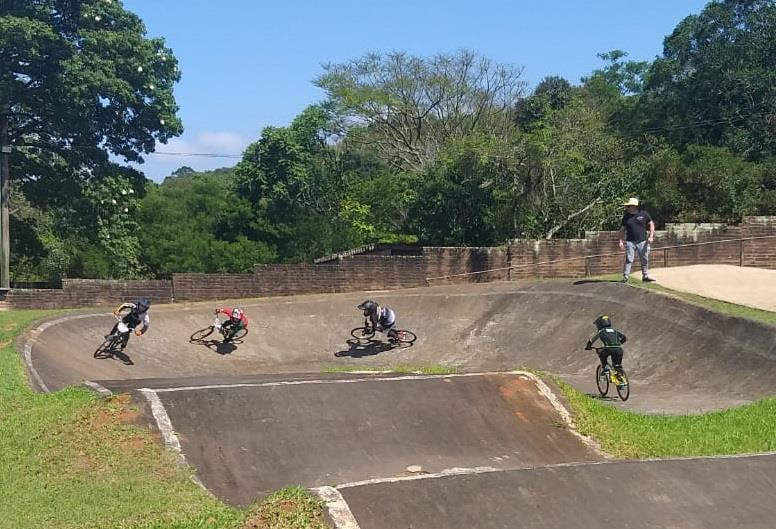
x=289 y=508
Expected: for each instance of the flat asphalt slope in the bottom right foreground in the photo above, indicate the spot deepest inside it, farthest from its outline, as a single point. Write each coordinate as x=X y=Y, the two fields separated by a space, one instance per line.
x=721 y=493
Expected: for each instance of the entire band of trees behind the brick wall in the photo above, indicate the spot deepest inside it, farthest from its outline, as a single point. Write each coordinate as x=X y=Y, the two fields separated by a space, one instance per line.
x=452 y=149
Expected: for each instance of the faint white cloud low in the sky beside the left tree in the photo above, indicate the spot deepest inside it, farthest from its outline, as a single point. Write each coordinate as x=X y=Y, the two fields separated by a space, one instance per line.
x=158 y=165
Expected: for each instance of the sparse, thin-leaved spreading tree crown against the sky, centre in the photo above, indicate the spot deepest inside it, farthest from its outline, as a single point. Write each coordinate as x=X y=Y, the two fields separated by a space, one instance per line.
x=409 y=106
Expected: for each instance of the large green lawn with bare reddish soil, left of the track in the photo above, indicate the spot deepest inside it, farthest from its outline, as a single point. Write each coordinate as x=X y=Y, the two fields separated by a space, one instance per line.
x=73 y=460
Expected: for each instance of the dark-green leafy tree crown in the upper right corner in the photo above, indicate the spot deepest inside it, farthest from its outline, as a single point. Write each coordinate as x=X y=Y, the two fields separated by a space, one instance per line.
x=716 y=83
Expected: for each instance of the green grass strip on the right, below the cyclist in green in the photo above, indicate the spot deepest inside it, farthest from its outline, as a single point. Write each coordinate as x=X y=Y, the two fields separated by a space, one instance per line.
x=746 y=429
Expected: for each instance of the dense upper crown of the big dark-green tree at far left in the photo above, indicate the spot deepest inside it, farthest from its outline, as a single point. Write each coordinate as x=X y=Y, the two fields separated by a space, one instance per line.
x=80 y=81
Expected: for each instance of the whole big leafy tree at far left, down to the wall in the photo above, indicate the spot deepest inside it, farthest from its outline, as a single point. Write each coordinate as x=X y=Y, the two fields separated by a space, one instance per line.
x=79 y=83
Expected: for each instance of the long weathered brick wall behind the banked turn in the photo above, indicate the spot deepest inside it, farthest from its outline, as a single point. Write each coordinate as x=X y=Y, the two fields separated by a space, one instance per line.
x=376 y=271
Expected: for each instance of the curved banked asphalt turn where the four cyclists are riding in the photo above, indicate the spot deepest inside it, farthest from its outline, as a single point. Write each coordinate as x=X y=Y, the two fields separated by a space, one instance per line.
x=487 y=327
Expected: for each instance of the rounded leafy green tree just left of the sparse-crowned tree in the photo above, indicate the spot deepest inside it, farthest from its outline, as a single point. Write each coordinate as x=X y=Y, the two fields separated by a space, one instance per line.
x=299 y=180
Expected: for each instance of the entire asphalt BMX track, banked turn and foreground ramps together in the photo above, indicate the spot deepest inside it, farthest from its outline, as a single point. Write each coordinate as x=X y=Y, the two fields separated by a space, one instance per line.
x=490 y=447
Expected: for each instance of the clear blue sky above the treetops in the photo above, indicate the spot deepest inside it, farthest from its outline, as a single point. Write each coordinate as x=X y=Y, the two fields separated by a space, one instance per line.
x=249 y=63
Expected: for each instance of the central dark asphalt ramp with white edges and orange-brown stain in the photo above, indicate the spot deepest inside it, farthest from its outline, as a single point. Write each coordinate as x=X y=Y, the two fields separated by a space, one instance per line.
x=252 y=438
